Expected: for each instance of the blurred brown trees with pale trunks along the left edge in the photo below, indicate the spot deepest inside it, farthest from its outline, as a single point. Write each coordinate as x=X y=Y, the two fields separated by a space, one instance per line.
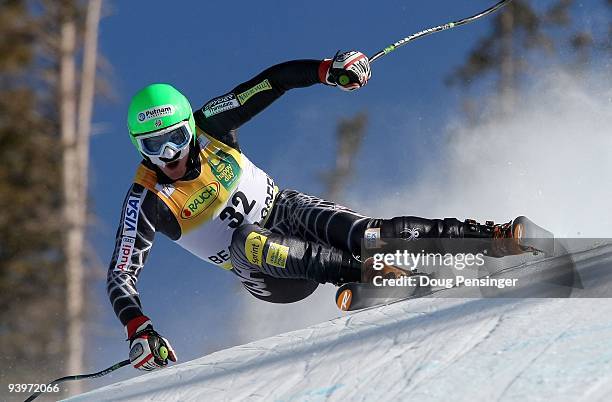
x=42 y=53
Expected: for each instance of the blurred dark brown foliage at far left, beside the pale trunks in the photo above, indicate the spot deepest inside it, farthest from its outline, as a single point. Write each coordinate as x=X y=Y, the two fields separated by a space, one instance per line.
x=31 y=273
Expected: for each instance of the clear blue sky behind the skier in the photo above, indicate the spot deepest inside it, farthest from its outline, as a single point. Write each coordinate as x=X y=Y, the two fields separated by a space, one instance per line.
x=206 y=48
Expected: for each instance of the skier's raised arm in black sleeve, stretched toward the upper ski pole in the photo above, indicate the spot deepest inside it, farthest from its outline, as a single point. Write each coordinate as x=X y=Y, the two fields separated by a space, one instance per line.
x=221 y=116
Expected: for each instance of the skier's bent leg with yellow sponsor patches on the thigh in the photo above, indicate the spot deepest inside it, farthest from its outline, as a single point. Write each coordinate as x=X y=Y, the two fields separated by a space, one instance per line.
x=267 y=261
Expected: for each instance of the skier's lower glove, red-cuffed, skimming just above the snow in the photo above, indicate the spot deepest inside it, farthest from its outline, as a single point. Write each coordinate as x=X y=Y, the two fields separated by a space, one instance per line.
x=148 y=350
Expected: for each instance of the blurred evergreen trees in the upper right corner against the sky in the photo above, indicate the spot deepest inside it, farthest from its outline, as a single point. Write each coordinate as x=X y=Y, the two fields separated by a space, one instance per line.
x=521 y=36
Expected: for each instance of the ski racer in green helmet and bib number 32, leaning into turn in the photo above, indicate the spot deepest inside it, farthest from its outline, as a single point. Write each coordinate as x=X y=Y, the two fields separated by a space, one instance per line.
x=196 y=186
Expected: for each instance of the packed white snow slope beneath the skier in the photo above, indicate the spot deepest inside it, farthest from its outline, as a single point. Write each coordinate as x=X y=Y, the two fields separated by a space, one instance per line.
x=427 y=349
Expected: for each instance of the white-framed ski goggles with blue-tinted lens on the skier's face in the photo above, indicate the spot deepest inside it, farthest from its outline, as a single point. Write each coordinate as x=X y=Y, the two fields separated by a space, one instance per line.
x=166 y=142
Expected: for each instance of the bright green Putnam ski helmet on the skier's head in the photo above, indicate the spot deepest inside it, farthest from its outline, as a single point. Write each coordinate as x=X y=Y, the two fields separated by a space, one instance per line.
x=154 y=109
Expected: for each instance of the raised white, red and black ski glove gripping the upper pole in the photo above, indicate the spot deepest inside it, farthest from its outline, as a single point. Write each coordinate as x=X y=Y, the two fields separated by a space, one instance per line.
x=348 y=71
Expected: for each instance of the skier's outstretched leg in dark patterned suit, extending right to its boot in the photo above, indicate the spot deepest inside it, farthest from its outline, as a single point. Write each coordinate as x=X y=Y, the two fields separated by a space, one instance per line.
x=325 y=222
